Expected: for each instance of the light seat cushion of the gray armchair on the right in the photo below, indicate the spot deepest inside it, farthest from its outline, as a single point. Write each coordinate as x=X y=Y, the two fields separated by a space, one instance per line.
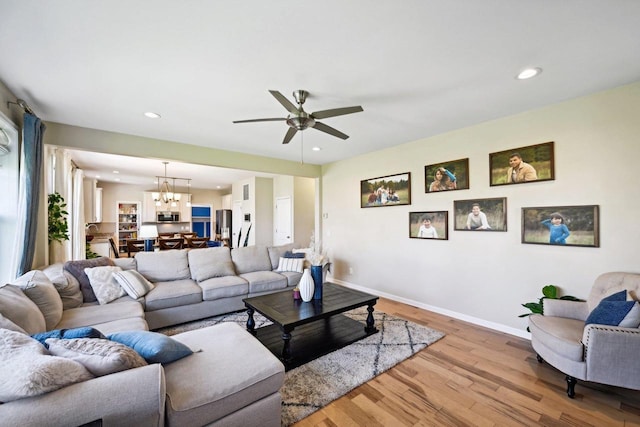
x=559 y=333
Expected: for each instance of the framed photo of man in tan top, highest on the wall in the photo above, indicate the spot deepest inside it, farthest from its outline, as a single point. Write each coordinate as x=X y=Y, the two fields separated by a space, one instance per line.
x=522 y=165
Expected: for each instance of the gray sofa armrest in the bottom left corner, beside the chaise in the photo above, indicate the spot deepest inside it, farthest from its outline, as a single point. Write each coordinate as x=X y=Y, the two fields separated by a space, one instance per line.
x=133 y=397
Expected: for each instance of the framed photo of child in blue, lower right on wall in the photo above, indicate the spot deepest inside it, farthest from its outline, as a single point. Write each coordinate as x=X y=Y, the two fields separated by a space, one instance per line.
x=561 y=226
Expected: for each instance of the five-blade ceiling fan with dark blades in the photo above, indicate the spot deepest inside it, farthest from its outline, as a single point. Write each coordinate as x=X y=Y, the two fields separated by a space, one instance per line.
x=298 y=119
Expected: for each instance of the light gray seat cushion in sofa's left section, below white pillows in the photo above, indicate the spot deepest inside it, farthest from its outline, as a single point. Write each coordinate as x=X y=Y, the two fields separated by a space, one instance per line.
x=96 y=315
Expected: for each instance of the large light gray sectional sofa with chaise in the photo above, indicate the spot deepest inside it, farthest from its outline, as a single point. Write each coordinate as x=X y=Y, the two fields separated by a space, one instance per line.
x=229 y=380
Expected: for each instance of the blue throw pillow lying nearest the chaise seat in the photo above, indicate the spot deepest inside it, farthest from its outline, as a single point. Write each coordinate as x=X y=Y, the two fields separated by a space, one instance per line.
x=152 y=346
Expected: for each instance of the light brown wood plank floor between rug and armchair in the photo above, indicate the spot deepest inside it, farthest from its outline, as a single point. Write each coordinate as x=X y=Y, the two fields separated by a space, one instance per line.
x=474 y=376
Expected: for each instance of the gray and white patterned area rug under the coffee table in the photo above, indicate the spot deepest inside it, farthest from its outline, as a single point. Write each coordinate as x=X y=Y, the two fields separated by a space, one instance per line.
x=313 y=385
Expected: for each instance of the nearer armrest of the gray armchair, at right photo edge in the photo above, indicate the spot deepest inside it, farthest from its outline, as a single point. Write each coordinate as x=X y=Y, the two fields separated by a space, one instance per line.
x=611 y=354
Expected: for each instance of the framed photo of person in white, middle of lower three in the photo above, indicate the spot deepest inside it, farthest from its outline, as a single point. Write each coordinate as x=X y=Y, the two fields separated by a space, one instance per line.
x=480 y=214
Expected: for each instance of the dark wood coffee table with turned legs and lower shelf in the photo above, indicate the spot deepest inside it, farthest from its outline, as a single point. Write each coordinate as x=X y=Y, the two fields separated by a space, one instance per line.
x=320 y=326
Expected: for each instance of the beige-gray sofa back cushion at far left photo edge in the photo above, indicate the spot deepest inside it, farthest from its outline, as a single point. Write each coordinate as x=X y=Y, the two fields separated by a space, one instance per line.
x=17 y=307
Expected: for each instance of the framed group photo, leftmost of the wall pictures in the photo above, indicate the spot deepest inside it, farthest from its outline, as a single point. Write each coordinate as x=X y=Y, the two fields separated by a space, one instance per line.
x=392 y=190
